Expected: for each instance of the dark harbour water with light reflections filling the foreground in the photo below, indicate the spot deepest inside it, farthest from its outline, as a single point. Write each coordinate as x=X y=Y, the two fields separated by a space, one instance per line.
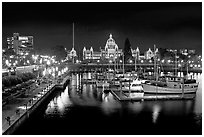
x=84 y=109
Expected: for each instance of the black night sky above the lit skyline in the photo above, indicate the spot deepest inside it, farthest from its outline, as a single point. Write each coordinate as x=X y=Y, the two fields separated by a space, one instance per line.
x=168 y=25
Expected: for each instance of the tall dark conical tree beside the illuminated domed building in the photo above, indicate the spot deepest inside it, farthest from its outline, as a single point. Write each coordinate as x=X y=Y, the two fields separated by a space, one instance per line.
x=127 y=50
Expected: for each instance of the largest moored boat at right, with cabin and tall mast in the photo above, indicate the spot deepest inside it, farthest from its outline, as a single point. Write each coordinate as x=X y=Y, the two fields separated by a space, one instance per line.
x=170 y=84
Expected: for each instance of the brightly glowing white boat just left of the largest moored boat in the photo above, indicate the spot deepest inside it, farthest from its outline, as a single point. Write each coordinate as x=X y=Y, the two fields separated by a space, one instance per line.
x=134 y=90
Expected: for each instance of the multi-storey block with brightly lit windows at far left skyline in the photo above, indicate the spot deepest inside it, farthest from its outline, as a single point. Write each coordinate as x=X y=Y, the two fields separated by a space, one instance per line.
x=22 y=45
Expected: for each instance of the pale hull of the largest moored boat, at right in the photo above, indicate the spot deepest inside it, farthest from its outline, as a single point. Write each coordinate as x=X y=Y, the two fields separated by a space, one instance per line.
x=151 y=89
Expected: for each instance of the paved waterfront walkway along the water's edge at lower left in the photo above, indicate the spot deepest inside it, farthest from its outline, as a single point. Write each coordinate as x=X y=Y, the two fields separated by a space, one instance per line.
x=17 y=107
